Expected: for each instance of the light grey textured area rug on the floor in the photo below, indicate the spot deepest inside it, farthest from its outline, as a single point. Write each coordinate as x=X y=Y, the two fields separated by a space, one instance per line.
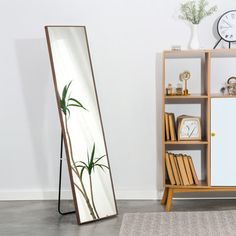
x=209 y=223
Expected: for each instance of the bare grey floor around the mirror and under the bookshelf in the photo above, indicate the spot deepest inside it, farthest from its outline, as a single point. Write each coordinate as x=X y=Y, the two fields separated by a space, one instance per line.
x=38 y=218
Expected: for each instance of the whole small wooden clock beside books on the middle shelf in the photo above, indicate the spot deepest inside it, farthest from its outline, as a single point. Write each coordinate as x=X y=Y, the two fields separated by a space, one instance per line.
x=189 y=128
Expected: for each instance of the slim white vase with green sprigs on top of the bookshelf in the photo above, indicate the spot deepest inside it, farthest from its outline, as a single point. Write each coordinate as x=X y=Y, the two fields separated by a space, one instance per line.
x=194 y=12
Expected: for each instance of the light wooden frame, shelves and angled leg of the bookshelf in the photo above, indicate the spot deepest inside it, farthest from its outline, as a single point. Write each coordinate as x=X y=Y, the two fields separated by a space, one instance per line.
x=204 y=98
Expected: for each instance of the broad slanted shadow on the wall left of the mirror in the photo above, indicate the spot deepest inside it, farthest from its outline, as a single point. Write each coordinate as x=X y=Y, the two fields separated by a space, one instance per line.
x=40 y=106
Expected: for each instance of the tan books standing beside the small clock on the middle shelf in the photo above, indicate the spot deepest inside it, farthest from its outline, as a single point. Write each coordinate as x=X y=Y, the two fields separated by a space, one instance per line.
x=170 y=128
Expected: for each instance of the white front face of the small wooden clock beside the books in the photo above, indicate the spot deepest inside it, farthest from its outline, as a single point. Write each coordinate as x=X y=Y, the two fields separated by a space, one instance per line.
x=190 y=129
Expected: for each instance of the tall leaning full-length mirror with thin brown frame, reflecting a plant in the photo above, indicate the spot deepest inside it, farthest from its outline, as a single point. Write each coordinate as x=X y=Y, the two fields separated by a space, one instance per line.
x=79 y=112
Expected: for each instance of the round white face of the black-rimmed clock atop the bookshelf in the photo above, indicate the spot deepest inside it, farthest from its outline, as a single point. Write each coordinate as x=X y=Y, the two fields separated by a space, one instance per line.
x=227 y=26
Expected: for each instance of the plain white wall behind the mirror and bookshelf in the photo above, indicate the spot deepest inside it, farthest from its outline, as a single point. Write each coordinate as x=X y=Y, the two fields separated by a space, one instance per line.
x=126 y=39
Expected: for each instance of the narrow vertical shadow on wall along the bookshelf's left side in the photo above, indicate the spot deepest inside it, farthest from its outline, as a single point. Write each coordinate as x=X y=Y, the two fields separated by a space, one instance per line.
x=158 y=120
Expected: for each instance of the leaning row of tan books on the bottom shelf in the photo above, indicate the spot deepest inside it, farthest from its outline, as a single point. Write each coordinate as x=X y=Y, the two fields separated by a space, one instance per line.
x=180 y=169
